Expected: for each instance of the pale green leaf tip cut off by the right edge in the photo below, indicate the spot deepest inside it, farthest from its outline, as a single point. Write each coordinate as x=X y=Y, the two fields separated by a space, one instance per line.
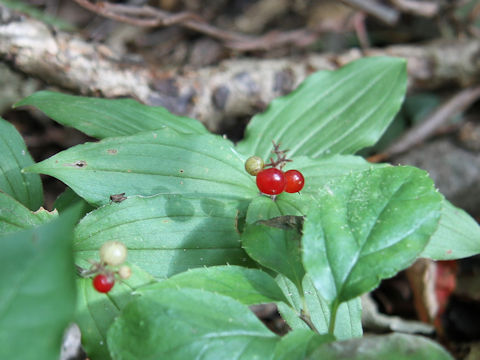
x=457 y=235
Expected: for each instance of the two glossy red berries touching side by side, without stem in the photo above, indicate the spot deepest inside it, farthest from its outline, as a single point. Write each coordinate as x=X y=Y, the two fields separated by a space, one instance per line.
x=273 y=181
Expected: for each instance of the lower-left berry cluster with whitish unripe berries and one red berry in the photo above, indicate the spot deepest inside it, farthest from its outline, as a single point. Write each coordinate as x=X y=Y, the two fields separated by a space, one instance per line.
x=112 y=255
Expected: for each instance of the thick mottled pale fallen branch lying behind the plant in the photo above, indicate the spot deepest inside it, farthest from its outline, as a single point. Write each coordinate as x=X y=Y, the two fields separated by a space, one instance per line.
x=233 y=88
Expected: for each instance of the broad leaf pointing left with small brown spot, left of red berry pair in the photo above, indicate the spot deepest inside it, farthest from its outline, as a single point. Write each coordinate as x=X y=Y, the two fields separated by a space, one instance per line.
x=162 y=161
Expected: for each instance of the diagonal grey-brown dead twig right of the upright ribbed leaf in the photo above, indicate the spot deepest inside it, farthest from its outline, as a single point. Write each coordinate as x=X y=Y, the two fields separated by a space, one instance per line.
x=456 y=104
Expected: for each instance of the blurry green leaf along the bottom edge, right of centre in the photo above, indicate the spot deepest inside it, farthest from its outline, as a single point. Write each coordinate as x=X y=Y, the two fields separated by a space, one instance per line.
x=392 y=347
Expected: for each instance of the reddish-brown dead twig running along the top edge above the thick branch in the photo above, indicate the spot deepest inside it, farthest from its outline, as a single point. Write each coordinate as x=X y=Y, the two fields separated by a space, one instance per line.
x=147 y=16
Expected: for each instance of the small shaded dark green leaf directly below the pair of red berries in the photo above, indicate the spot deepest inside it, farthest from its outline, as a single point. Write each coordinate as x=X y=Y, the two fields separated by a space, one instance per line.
x=276 y=249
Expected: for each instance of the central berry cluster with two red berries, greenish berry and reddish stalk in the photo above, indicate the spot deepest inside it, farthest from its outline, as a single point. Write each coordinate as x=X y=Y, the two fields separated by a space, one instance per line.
x=271 y=180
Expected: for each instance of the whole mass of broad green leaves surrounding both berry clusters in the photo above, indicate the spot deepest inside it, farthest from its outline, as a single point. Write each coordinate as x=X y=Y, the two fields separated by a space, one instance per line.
x=203 y=244
